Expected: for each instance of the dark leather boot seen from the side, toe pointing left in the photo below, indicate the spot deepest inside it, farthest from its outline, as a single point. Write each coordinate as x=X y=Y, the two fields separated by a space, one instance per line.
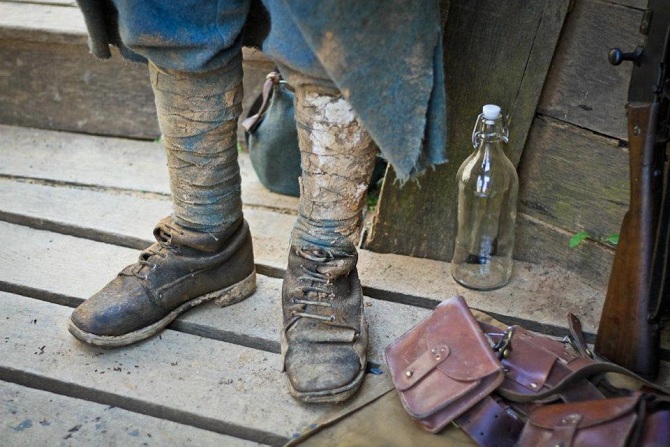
x=181 y=270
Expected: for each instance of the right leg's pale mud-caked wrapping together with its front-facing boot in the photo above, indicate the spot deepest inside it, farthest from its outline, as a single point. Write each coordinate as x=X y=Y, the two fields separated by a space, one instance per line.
x=325 y=336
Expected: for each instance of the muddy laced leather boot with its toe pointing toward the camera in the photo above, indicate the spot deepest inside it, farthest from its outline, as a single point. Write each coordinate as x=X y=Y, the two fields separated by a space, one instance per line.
x=325 y=335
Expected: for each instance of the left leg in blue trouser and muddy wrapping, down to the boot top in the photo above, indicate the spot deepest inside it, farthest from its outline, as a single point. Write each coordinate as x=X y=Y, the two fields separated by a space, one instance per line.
x=195 y=61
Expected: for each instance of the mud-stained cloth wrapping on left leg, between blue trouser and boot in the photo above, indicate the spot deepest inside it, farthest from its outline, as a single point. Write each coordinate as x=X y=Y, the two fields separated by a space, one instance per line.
x=198 y=114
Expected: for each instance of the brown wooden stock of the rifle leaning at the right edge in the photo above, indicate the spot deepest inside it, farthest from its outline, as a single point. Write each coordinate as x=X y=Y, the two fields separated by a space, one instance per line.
x=629 y=334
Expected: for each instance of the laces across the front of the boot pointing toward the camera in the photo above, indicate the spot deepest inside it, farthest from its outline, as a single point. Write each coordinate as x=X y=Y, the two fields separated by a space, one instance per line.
x=316 y=284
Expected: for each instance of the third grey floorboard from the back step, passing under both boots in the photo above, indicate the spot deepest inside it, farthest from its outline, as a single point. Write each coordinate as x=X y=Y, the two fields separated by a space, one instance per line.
x=34 y=261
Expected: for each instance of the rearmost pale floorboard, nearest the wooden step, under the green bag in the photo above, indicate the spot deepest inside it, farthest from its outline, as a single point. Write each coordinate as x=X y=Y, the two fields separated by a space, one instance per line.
x=109 y=163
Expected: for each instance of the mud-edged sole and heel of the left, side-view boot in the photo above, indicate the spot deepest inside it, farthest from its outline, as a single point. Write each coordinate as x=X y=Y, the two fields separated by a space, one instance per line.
x=223 y=297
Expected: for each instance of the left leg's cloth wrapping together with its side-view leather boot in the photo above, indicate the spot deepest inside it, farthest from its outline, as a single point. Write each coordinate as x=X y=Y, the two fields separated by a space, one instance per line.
x=203 y=250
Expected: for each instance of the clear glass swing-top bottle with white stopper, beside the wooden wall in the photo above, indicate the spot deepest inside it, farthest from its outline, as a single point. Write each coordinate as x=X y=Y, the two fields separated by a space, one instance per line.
x=488 y=186
